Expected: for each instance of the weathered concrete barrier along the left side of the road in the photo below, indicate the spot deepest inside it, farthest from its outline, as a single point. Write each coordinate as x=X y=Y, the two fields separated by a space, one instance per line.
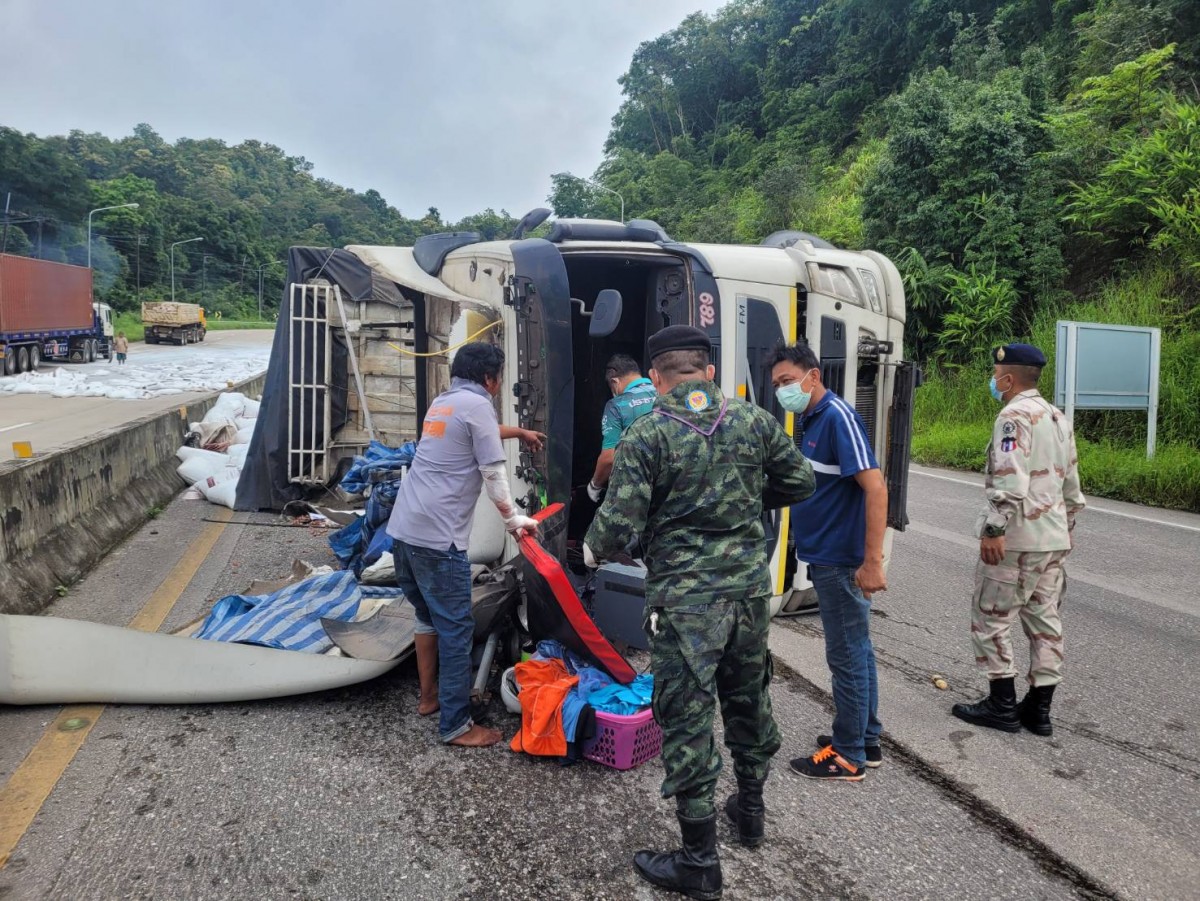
x=62 y=513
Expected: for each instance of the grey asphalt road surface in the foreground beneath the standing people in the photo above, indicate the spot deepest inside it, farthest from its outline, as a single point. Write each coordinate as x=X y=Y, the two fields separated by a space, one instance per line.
x=349 y=795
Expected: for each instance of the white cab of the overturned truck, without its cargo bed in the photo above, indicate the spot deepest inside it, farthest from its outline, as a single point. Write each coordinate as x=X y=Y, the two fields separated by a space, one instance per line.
x=562 y=305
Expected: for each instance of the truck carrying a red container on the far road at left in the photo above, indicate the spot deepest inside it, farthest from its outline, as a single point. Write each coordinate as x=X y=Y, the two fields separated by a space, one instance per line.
x=47 y=314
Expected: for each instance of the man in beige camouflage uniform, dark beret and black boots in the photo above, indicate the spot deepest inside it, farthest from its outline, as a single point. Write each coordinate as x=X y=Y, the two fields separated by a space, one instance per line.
x=1025 y=534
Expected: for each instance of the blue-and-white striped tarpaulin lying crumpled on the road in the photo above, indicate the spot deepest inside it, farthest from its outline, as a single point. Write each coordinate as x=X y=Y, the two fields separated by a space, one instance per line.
x=289 y=620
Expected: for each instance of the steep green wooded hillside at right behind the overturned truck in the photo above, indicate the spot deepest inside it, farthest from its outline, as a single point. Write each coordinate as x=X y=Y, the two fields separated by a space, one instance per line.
x=1023 y=161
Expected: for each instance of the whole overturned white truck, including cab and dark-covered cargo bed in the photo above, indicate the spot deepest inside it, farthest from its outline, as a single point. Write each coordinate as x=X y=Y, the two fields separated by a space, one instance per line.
x=362 y=328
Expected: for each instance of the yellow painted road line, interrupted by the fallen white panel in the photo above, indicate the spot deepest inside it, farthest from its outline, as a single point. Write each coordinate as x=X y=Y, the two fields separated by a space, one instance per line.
x=23 y=796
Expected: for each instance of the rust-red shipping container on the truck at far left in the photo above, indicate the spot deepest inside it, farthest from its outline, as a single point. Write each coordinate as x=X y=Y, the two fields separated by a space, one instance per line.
x=38 y=296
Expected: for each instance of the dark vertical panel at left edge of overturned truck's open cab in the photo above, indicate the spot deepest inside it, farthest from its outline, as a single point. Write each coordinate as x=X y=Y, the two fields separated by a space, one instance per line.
x=544 y=392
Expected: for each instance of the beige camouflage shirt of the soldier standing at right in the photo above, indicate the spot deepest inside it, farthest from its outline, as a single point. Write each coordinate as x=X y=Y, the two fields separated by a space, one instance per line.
x=1033 y=484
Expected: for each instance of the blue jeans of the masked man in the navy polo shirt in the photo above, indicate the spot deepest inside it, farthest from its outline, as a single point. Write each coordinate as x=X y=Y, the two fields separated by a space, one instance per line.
x=847 y=616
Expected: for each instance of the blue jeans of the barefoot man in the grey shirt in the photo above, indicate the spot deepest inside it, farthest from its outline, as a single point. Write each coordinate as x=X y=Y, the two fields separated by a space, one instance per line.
x=437 y=584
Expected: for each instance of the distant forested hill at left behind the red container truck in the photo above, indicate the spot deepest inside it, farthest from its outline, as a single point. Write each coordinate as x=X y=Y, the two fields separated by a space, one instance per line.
x=250 y=203
